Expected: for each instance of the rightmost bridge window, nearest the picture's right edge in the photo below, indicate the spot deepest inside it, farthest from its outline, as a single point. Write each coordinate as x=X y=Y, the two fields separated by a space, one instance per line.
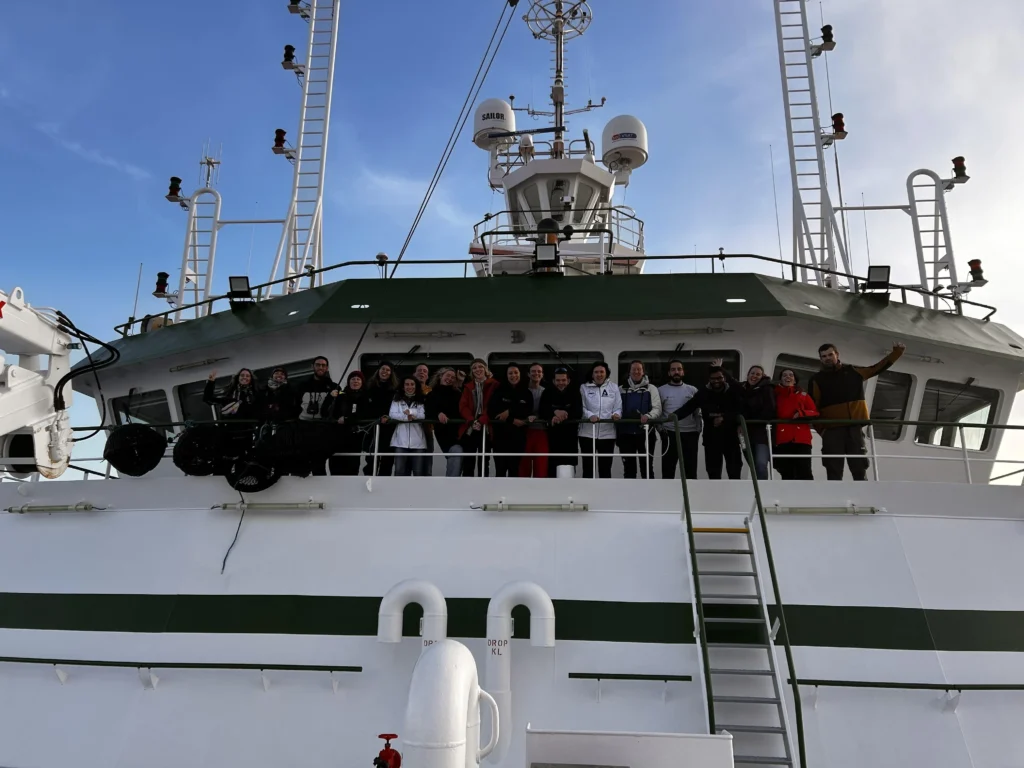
x=951 y=403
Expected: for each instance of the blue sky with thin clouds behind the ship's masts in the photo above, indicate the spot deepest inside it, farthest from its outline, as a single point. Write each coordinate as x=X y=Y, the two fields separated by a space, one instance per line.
x=101 y=104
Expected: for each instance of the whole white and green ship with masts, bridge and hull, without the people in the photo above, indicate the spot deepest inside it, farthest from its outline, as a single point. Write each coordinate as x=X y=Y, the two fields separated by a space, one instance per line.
x=246 y=615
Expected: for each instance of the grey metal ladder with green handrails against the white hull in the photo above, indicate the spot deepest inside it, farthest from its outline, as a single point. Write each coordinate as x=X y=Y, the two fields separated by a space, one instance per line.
x=746 y=685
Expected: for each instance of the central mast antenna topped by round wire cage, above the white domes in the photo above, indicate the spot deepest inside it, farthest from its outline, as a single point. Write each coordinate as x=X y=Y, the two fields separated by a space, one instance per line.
x=560 y=22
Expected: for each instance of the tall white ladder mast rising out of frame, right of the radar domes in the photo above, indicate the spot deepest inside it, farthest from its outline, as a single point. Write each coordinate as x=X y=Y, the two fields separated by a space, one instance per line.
x=817 y=237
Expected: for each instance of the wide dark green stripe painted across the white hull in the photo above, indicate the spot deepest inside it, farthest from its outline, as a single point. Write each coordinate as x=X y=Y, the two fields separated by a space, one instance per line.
x=826 y=626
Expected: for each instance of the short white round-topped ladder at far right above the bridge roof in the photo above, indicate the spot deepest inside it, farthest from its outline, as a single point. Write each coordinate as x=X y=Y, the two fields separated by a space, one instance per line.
x=927 y=194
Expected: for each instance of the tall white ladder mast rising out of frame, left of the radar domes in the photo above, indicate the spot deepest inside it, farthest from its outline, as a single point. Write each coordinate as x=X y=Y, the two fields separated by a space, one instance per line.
x=302 y=244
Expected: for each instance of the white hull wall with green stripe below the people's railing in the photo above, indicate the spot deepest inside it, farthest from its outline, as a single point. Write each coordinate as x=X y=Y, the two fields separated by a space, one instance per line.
x=916 y=593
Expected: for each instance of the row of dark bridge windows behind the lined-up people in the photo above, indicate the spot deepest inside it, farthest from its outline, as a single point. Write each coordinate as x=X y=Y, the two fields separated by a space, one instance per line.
x=943 y=402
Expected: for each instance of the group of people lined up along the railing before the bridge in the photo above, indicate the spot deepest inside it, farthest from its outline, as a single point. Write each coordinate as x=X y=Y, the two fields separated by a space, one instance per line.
x=532 y=429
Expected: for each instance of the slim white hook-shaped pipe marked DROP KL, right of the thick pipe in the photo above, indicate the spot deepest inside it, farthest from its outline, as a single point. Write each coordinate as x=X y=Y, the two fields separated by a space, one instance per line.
x=499 y=667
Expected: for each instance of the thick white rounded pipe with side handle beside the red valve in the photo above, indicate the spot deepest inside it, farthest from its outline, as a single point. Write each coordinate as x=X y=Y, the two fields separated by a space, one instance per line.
x=443 y=716
